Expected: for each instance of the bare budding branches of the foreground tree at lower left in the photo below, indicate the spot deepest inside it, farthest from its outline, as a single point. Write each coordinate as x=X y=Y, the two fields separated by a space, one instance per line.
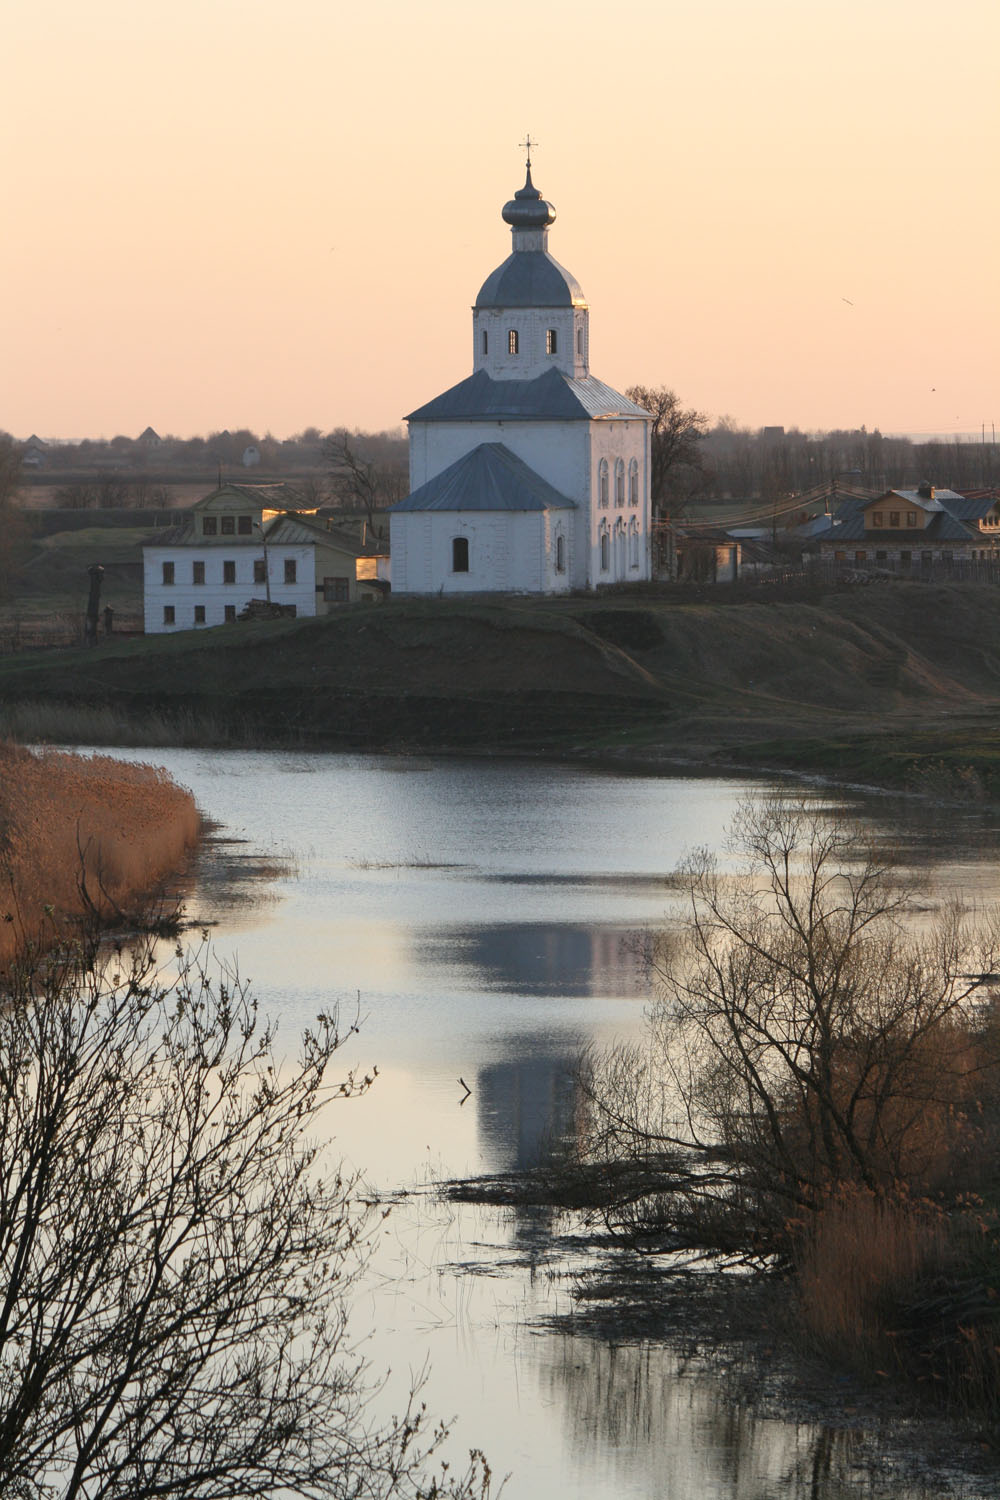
x=173 y=1268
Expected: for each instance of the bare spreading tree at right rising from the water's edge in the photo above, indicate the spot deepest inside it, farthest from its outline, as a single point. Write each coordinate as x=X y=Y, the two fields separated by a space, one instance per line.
x=803 y=1039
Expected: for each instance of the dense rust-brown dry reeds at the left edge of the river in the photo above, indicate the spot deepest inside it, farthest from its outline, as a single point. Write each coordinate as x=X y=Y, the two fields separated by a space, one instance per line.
x=83 y=838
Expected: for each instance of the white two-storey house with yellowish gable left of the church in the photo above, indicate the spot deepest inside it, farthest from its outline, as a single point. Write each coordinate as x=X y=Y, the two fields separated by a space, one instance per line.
x=233 y=548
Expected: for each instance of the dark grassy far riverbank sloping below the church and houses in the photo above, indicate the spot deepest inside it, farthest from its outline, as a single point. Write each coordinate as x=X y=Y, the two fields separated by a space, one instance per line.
x=896 y=685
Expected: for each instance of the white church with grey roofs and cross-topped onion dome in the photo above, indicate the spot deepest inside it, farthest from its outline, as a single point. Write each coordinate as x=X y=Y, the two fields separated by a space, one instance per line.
x=531 y=476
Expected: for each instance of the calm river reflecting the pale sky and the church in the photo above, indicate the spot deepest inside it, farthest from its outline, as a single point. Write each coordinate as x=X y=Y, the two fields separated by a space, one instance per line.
x=482 y=920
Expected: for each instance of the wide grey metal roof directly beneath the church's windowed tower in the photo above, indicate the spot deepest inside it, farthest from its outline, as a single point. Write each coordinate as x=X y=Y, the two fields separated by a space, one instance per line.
x=552 y=397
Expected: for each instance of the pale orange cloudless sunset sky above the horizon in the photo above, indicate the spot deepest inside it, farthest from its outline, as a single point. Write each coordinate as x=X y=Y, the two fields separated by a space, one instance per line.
x=275 y=215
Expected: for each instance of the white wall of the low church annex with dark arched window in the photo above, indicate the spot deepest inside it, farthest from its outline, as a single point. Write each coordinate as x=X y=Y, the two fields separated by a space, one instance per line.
x=509 y=551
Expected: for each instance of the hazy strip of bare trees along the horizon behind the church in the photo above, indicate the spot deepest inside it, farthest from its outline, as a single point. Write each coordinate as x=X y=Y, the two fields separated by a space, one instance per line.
x=693 y=461
